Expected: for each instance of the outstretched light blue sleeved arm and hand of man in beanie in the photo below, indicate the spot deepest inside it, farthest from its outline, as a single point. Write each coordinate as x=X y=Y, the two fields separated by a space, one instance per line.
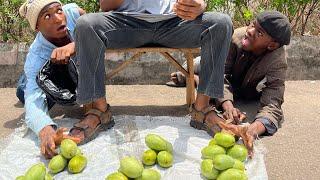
x=37 y=117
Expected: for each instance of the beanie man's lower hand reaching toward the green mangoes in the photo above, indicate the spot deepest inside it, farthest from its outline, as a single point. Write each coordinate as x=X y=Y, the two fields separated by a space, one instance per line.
x=50 y=139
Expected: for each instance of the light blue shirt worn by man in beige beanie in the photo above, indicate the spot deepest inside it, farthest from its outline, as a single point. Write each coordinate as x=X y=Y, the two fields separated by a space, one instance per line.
x=37 y=116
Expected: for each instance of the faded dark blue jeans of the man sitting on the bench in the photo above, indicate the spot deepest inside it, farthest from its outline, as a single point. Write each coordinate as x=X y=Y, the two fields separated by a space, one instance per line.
x=98 y=31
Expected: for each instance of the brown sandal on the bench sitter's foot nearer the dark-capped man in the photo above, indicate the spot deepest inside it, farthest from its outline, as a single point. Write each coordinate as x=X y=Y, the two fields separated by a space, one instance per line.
x=198 y=119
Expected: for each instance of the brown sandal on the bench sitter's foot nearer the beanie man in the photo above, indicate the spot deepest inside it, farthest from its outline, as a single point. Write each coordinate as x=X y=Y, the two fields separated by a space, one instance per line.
x=106 y=122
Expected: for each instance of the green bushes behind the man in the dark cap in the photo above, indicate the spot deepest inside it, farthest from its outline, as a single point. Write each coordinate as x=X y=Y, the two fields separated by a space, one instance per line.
x=299 y=12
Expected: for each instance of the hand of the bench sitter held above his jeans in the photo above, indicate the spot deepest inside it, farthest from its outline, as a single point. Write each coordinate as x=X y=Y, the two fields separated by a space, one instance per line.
x=189 y=9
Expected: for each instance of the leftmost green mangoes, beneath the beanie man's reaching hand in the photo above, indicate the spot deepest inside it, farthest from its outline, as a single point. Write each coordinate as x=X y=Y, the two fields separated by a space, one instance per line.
x=70 y=155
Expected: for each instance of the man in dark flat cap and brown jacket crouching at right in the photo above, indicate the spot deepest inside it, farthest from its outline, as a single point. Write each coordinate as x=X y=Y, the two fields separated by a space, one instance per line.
x=255 y=69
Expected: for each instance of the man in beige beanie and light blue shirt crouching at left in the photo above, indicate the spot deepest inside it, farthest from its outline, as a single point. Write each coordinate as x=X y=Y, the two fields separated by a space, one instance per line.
x=55 y=26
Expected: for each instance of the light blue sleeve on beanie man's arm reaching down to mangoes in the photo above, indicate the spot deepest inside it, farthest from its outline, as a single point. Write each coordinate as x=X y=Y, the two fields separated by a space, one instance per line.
x=36 y=106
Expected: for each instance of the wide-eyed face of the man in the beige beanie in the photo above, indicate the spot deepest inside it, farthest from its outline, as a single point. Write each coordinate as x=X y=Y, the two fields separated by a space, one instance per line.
x=52 y=22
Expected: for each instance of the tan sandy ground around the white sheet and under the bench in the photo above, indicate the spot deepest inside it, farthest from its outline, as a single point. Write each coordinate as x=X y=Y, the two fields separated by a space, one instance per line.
x=293 y=152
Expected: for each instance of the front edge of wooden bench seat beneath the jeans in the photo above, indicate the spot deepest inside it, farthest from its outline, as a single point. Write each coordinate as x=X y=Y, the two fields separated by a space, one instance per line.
x=154 y=49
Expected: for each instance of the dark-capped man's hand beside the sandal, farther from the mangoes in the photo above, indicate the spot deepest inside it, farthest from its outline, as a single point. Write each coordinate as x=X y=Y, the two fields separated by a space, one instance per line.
x=232 y=113
